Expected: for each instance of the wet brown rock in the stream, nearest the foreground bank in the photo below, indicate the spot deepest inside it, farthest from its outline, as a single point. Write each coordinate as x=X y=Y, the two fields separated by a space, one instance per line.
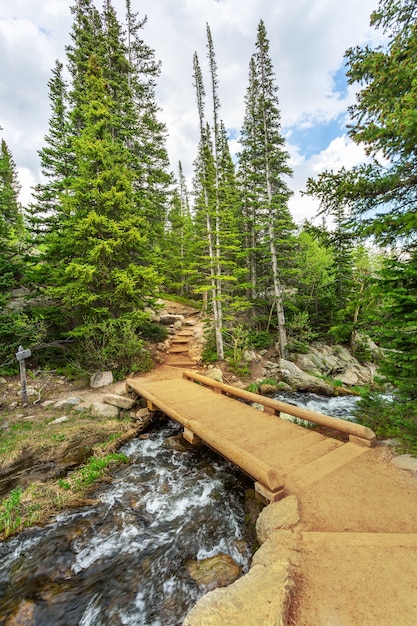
x=216 y=571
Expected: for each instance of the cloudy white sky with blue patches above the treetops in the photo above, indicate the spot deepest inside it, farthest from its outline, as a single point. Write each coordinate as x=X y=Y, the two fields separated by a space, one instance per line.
x=308 y=39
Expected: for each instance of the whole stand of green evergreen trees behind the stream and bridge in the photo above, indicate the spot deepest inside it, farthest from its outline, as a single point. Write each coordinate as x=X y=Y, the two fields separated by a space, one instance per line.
x=111 y=228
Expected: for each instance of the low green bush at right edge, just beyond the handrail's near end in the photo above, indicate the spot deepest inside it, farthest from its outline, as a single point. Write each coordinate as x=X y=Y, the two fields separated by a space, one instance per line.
x=389 y=418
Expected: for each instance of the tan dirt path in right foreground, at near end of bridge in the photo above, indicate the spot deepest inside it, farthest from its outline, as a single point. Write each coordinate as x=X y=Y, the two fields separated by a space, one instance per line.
x=358 y=549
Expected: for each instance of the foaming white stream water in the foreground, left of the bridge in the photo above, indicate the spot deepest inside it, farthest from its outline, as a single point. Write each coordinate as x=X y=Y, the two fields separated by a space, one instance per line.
x=122 y=561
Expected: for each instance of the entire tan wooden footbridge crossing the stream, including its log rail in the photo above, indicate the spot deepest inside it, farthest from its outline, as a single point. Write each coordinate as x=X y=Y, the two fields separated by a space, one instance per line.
x=280 y=456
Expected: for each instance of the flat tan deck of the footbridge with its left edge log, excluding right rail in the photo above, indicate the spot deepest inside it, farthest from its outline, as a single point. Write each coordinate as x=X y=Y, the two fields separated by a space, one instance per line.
x=255 y=441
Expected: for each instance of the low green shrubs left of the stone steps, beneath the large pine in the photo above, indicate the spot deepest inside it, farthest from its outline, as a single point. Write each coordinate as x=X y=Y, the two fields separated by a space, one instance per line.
x=112 y=344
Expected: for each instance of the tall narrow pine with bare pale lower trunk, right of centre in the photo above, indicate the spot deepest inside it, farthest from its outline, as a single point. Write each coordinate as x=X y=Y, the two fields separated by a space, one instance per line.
x=263 y=166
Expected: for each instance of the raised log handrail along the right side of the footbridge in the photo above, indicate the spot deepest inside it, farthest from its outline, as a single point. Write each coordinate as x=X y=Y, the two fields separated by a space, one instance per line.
x=345 y=426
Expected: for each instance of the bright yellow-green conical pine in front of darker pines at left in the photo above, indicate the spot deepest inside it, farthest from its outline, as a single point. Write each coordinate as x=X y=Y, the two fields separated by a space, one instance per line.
x=100 y=266
